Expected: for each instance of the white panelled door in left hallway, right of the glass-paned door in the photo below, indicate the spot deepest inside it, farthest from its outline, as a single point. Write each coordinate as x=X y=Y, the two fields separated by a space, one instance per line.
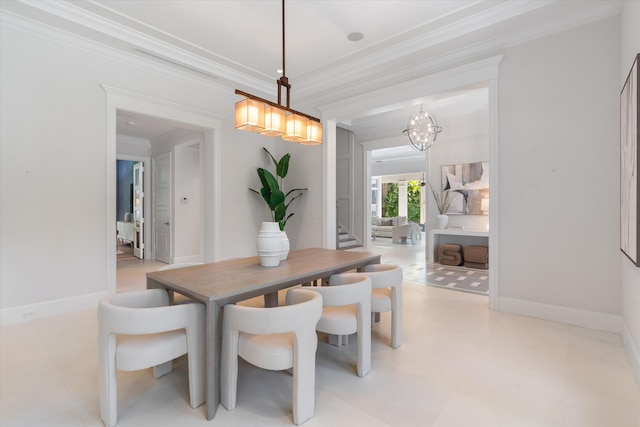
x=162 y=207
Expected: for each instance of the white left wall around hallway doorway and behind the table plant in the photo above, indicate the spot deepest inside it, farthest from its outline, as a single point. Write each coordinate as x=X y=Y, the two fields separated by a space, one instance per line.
x=53 y=217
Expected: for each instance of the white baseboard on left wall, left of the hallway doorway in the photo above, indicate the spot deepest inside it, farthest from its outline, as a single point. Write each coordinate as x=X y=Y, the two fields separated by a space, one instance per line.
x=28 y=312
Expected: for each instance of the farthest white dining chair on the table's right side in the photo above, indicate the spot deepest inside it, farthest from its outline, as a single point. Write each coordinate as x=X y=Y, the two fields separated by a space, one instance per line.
x=386 y=295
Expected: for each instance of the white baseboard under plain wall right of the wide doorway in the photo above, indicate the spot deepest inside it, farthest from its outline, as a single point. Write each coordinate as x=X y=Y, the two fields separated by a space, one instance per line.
x=572 y=316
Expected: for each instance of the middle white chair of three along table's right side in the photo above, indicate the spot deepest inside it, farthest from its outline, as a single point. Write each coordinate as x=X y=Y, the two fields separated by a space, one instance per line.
x=347 y=310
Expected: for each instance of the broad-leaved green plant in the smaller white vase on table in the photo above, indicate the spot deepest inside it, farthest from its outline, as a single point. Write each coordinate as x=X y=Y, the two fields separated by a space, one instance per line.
x=272 y=193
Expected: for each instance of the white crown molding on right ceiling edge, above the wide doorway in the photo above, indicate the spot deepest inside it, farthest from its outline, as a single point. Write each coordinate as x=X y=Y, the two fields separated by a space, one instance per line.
x=353 y=78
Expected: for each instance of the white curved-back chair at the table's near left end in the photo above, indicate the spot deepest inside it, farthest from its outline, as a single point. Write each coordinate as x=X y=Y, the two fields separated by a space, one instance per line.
x=139 y=330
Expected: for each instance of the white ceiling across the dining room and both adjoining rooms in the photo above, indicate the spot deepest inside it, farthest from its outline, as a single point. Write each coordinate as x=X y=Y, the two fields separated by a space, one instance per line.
x=238 y=44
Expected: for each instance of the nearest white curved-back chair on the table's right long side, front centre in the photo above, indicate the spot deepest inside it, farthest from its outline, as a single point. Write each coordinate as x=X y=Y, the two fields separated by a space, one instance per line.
x=275 y=338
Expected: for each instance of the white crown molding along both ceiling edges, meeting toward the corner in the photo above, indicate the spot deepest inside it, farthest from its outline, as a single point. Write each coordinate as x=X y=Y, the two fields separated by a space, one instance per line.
x=381 y=67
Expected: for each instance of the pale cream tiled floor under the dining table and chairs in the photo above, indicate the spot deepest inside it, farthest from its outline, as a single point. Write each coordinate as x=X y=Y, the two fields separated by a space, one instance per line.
x=460 y=364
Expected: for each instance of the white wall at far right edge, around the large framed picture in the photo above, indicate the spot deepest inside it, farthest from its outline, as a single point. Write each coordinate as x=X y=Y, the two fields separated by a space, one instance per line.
x=630 y=274
